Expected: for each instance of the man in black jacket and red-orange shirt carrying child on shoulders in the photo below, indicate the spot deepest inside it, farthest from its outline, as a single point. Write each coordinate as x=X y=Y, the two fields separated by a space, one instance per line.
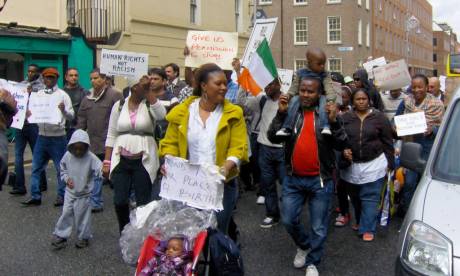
x=309 y=172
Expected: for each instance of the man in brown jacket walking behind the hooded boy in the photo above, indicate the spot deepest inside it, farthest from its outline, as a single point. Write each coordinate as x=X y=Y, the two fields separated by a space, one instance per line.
x=93 y=116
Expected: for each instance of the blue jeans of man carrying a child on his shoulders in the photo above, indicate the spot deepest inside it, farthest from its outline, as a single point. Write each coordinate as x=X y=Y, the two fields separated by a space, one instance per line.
x=296 y=190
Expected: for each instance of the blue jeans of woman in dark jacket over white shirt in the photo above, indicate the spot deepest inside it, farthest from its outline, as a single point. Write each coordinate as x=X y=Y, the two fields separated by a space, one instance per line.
x=366 y=199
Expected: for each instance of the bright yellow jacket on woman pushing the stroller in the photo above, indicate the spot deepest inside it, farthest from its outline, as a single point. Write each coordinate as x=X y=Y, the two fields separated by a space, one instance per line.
x=231 y=139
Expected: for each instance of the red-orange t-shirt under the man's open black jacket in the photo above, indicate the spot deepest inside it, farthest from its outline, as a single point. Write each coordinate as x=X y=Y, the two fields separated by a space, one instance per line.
x=305 y=158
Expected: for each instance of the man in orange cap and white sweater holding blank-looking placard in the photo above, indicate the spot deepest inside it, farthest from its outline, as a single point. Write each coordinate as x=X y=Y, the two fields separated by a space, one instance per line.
x=51 y=142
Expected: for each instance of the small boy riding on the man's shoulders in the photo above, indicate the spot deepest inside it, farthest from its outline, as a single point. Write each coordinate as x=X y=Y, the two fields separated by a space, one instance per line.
x=316 y=59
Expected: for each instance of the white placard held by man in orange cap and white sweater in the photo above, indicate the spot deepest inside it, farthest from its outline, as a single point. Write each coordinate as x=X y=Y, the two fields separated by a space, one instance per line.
x=44 y=109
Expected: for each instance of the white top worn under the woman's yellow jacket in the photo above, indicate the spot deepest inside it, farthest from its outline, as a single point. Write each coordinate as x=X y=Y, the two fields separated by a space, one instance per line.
x=201 y=137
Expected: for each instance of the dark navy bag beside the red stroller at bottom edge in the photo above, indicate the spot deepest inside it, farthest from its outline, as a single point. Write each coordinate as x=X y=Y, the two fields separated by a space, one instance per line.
x=225 y=255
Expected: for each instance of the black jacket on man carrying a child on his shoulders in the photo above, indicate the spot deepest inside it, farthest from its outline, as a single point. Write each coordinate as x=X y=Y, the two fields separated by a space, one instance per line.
x=326 y=143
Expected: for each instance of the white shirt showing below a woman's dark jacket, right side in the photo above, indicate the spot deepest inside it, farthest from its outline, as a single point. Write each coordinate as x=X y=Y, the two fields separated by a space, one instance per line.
x=362 y=173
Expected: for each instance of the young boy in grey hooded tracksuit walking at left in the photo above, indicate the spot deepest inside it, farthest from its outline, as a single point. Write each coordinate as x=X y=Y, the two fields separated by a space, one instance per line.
x=79 y=167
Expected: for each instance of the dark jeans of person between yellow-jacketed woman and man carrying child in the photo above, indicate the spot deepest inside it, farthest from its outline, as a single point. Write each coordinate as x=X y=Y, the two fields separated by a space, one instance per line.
x=271 y=163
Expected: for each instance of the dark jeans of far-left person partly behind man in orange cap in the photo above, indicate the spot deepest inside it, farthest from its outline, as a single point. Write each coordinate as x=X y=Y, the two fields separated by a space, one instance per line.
x=28 y=134
